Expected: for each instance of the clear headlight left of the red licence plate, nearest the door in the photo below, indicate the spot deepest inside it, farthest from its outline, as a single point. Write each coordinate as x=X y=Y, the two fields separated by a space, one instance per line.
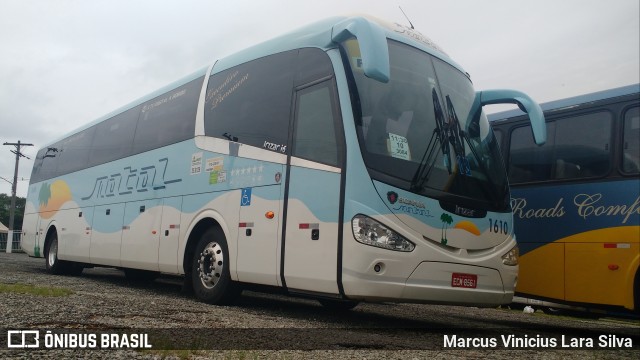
x=370 y=232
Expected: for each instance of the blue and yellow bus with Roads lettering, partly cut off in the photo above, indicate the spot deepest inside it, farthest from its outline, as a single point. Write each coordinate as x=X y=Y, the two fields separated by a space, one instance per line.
x=576 y=201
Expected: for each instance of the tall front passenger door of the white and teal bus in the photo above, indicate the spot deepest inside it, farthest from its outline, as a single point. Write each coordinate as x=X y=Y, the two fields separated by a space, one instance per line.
x=313 y=192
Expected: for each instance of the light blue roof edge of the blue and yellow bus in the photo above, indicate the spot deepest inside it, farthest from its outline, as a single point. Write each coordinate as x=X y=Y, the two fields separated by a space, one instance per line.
x=571 y=102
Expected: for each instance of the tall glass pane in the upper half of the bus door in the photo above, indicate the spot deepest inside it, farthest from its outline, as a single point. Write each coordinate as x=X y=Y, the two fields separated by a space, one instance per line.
x=315 y=137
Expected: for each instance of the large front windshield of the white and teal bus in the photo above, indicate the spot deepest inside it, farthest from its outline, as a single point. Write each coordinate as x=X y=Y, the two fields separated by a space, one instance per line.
x=416 y=131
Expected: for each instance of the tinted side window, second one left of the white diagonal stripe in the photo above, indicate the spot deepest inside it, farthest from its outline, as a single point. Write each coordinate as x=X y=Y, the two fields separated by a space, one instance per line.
x=115 y=137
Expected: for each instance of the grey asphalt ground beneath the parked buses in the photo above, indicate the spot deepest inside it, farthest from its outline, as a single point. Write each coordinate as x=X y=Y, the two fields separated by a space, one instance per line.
x=102 y=315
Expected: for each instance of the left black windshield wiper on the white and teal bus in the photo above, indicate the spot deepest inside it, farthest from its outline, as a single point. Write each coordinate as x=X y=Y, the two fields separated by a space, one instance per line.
x=429 y=157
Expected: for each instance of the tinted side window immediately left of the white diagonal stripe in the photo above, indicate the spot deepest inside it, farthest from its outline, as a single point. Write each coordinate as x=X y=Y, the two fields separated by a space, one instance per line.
x=169 y=118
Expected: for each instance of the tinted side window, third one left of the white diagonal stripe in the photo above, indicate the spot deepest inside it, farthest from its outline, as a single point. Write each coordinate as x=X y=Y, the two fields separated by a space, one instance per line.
x=74 y=151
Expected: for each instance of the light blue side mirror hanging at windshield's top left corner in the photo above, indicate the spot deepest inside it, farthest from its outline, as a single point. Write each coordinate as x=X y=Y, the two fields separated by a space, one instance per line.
x=373 y=45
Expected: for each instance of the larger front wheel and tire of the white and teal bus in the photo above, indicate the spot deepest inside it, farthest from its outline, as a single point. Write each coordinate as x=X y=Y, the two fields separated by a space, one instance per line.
x=210 y=274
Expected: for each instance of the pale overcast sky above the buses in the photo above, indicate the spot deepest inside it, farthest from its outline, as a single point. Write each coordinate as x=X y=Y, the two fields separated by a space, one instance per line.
x=65 y=63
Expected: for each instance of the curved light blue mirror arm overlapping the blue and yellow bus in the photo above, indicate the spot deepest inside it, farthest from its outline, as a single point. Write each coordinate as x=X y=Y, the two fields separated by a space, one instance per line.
x=524 y=102
